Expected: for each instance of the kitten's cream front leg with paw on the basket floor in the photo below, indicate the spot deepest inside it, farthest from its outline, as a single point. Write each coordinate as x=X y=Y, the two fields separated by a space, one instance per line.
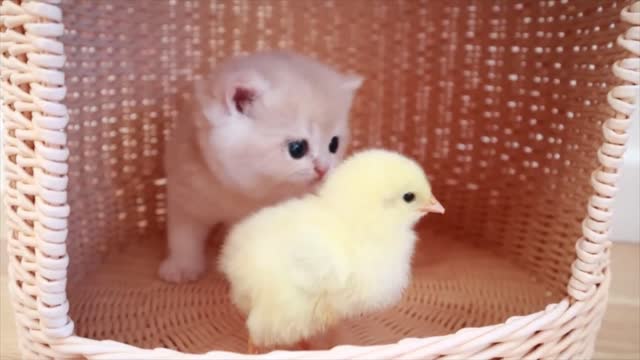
x=187 y=237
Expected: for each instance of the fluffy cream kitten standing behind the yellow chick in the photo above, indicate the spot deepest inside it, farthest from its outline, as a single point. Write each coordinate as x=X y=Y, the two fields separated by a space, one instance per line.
x=229 y=154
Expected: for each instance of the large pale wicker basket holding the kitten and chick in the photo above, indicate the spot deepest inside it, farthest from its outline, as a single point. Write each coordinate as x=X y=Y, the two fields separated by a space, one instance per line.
x=517 y=109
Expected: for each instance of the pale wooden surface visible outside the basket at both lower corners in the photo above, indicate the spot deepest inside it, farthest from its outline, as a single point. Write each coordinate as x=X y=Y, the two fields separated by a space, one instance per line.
x=618 y=339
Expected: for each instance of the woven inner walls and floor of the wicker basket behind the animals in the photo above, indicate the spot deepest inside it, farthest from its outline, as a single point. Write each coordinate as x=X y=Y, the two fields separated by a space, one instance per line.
x=501 y=102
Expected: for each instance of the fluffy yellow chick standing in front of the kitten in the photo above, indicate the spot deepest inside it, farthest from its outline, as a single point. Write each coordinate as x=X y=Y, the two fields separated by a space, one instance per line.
x=303 y=265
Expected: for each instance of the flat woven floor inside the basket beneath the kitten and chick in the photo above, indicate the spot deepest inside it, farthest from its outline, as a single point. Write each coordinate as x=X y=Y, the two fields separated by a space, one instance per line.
x=454 y=285
